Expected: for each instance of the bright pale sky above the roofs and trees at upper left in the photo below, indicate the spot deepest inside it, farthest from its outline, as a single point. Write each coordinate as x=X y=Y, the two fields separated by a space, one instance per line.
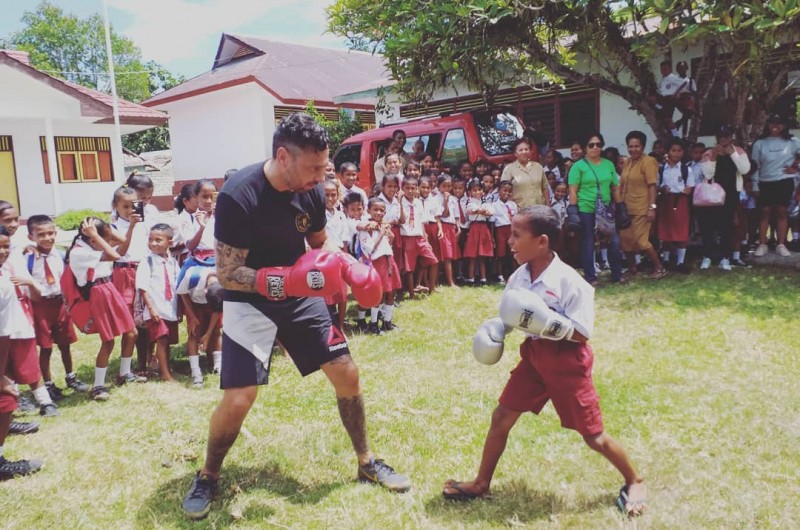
x=183 y=34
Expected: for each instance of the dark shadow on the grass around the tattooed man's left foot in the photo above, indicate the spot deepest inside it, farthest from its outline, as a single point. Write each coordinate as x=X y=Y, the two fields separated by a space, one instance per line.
x=164 y=505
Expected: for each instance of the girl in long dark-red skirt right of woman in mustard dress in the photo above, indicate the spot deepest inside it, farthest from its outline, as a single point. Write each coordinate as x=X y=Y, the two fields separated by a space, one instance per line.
x=674 y=206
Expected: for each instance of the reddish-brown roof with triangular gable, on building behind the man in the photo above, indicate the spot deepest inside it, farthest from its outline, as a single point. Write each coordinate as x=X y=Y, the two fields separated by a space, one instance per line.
x=293 y=73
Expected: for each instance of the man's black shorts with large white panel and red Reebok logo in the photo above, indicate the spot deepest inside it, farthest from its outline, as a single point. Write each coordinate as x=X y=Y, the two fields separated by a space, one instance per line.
x=302 y=325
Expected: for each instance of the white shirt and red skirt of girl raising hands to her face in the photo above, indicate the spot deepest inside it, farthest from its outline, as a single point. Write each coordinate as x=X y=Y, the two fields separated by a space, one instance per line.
x=111 y=315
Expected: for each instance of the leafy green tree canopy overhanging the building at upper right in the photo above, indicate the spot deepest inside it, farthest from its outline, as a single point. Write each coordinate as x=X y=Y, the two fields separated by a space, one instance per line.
x=614 y=46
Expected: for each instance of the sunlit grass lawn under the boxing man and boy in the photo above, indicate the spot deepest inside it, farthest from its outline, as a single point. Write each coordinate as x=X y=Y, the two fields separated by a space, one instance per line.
x=697 y=377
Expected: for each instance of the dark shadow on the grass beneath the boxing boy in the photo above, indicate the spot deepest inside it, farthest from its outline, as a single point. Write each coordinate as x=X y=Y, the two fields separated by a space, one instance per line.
x=512 y=504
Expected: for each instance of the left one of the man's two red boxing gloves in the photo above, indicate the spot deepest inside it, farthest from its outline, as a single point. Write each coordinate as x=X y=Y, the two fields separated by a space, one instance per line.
x=315 y=273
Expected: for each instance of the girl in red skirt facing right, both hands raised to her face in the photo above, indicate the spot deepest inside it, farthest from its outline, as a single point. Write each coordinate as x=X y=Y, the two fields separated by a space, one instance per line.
x=90 y=260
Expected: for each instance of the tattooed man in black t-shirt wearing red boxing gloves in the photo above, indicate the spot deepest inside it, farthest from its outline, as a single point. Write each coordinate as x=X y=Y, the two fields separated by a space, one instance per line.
x=266 y=214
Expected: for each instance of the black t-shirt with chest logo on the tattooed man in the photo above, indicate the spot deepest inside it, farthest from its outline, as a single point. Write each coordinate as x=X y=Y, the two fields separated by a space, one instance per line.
x=251 y=214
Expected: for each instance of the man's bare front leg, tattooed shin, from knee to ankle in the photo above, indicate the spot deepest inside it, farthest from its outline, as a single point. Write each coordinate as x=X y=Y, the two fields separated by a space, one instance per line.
x=343 y=374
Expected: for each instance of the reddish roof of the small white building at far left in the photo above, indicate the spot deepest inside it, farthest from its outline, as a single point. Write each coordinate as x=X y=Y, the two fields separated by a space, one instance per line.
x=99 y=103
